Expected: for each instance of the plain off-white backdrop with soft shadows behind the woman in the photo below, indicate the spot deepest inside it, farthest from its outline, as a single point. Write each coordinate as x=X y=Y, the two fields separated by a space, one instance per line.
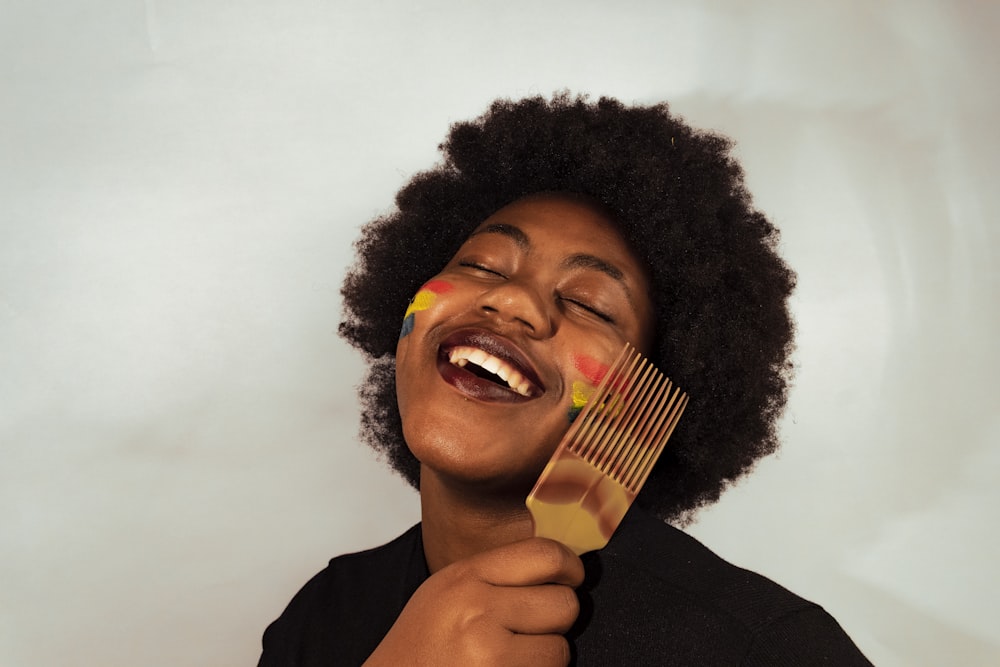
x=180 y=183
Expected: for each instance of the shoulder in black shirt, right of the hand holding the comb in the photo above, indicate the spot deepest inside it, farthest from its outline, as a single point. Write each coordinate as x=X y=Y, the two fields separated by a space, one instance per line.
x=656 y=582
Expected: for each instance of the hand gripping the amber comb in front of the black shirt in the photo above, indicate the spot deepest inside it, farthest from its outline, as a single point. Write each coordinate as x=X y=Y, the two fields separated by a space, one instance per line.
x=506 y=606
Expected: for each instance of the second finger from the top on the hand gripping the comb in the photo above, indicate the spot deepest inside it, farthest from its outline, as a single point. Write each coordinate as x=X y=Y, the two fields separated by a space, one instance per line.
x=535 y=610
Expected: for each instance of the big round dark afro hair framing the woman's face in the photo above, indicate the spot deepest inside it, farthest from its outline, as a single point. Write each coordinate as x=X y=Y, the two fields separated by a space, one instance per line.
x=719 y=288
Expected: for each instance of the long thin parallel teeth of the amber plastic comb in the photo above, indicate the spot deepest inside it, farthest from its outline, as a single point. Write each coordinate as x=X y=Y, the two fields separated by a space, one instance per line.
x=626 y=423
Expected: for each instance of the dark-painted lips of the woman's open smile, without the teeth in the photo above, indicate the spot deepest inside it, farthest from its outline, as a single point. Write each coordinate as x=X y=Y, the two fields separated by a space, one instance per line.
x=476 y=387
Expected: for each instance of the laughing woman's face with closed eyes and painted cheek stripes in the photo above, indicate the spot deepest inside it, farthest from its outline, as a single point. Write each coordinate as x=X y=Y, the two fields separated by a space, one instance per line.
x=501 y=349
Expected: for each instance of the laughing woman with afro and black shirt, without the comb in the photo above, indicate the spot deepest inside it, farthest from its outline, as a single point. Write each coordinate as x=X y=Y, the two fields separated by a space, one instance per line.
x=554 y=232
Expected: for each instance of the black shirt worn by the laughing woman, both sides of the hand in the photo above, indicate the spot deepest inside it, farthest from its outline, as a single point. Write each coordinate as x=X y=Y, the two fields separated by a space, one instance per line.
x=653 y=596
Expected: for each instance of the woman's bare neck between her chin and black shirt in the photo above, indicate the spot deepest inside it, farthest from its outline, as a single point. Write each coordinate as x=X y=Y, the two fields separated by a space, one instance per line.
x=458 y=522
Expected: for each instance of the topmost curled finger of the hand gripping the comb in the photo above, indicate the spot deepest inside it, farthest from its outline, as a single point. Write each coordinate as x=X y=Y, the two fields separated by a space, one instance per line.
x=528 y=563
